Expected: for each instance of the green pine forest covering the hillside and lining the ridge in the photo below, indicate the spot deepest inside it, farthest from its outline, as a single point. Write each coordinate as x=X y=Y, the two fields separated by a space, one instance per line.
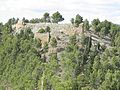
x=89 y=67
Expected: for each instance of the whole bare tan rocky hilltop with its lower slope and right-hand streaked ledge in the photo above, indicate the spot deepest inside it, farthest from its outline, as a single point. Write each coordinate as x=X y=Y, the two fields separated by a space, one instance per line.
x=61 y=32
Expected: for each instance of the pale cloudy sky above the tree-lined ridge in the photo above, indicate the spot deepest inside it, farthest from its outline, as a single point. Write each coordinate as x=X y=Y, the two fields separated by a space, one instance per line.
x=88 y=9
